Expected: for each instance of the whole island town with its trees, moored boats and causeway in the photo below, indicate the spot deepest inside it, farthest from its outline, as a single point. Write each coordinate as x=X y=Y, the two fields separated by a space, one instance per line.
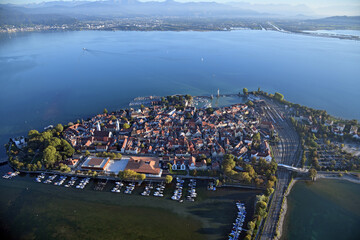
x=263 y=142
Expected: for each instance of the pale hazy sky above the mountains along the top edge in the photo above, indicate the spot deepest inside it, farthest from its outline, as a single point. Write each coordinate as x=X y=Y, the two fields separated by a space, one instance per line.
x=329 y=7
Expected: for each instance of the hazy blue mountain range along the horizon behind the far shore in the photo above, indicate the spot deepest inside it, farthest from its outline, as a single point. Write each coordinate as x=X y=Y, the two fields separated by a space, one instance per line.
x=72 y=11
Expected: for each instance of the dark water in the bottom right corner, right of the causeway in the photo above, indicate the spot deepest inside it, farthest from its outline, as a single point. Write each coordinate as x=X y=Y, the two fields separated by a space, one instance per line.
x=324 y=210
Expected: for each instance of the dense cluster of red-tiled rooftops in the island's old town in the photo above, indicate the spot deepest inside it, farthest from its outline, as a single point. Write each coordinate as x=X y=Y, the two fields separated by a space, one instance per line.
x=180 y=132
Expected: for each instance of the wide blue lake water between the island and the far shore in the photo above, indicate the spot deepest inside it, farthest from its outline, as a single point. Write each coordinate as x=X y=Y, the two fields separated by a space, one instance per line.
x=48 y=78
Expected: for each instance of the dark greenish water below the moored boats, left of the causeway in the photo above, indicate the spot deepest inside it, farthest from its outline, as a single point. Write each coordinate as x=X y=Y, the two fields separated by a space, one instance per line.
x=30 y=210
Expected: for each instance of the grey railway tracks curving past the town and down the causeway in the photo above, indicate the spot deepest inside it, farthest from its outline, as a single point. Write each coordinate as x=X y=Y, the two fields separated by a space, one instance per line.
x=286 y=153
